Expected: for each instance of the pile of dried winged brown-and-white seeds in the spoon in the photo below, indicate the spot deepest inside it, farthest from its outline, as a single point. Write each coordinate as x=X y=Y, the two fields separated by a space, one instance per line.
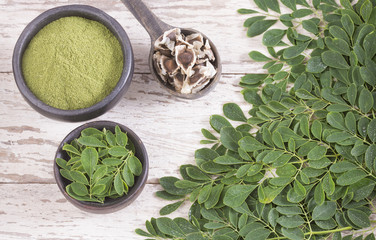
x=184 y=62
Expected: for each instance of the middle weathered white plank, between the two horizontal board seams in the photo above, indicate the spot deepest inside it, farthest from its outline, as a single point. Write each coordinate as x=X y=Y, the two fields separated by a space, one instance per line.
x=169 y=126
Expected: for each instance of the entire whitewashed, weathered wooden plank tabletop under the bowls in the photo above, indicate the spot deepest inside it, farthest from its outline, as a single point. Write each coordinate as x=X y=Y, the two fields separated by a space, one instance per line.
x=31 y=205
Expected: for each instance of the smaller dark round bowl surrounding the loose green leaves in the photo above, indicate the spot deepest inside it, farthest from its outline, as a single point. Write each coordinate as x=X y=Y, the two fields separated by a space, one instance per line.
x=110 y=205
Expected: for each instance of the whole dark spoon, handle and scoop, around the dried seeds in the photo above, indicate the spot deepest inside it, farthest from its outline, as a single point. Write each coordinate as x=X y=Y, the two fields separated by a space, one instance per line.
x=155 y=28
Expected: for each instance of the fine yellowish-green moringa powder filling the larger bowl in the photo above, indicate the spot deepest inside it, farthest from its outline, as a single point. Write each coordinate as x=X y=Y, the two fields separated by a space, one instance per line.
x=72 y=63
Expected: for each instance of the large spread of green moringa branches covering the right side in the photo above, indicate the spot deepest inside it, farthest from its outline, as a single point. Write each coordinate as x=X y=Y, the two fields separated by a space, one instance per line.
x=303 y=164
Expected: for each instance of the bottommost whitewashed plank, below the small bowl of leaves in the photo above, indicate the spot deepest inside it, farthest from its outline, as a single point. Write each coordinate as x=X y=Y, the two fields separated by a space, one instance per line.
x=39 y=211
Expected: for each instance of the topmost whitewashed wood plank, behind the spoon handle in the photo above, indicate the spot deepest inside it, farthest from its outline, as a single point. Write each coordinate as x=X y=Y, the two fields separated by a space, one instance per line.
x=217 y=19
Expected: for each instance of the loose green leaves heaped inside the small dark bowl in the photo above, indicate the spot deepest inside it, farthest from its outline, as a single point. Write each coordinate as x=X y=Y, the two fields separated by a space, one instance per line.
x=100 y=164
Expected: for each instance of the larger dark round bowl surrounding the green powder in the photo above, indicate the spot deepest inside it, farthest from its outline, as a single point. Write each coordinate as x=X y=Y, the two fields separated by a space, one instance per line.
x=87 y=12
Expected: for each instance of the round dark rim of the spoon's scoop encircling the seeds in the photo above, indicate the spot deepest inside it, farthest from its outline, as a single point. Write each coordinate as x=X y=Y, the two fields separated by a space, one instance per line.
x=210 y=86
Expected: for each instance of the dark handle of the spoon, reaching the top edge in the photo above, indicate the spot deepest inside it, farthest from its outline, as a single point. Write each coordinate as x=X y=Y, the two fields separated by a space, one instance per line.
x=153 y=25
